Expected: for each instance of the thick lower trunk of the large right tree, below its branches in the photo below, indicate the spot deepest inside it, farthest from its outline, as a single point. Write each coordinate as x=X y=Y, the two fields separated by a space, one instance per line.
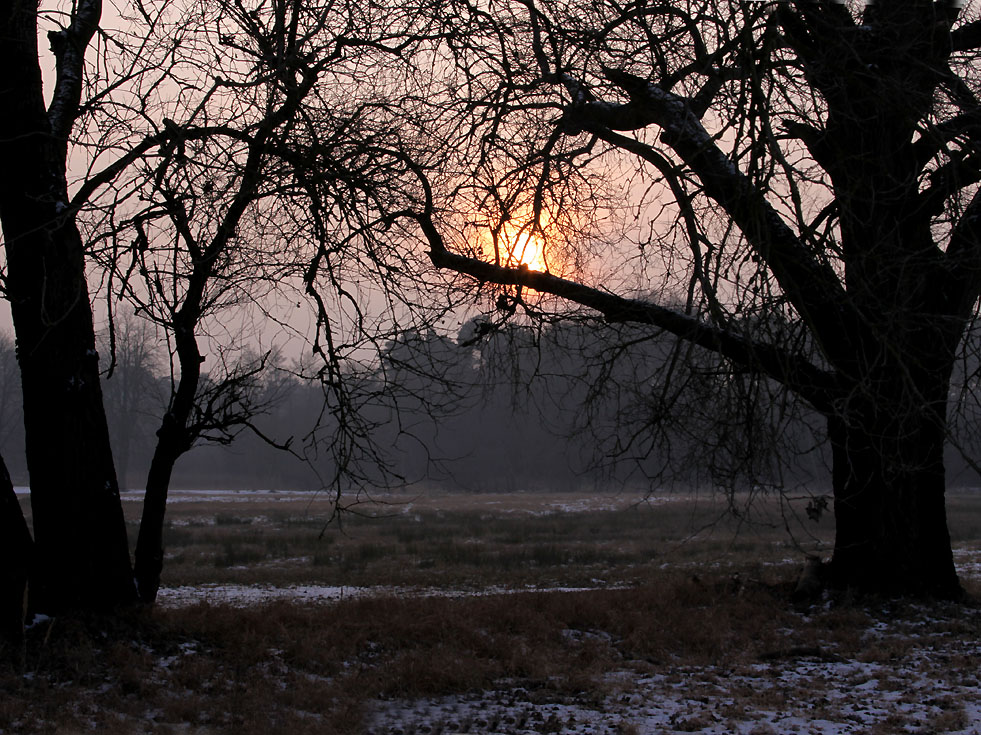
x=891 y=522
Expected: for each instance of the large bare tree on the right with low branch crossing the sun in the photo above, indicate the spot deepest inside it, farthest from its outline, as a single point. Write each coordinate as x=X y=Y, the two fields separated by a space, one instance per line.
x=801 y=176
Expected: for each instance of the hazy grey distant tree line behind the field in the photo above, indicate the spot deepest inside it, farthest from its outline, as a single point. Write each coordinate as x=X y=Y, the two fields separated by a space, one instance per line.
x=500 y=407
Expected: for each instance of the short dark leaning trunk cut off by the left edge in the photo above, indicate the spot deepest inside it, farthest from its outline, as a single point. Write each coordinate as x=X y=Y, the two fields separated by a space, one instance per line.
x=15 y=553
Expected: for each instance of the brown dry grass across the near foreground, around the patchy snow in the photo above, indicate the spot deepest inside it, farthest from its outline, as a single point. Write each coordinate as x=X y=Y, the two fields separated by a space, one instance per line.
x=291 y=668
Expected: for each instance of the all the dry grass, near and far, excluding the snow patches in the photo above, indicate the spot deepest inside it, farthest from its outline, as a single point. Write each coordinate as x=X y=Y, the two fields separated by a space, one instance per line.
x=705 y=614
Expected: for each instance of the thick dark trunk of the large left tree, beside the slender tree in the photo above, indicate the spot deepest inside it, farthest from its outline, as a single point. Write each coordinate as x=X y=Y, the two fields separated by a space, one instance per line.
x=82 y=555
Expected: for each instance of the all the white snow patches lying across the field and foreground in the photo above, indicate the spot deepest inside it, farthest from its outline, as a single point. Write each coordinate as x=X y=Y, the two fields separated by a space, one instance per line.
x=923 y=687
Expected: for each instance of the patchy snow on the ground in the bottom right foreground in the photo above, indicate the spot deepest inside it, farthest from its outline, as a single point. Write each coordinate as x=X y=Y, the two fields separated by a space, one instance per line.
x=819 y=694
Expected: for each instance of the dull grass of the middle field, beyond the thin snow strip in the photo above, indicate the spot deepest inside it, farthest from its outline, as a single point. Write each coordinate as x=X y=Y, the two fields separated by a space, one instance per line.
x=462 y=542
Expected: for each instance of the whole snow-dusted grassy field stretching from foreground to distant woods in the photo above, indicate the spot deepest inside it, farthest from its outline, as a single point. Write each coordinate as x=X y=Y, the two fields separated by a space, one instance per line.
x=523 y=613
